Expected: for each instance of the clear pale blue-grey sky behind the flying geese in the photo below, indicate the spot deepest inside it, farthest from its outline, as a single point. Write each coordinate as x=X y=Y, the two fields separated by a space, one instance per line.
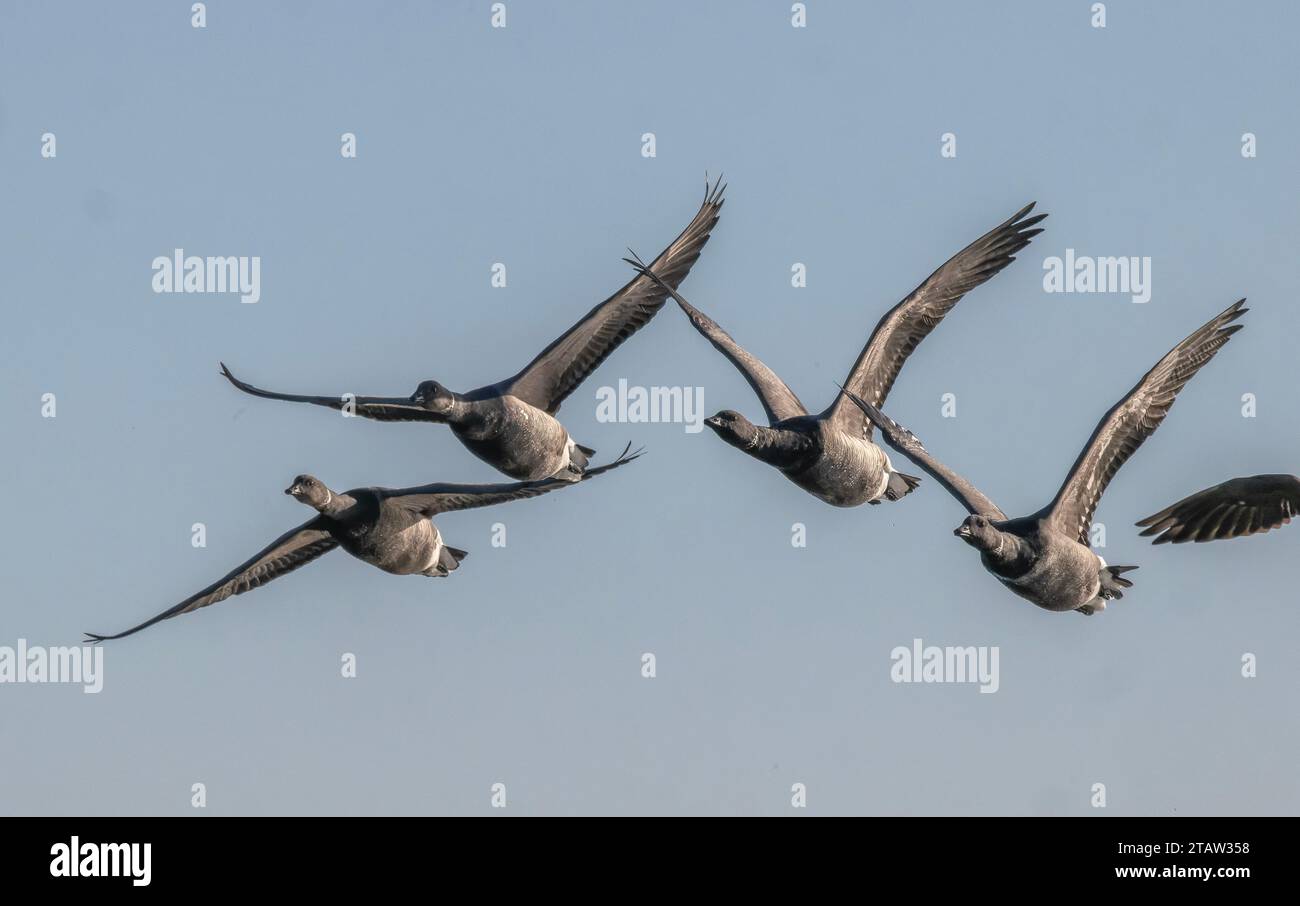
x=523 y=146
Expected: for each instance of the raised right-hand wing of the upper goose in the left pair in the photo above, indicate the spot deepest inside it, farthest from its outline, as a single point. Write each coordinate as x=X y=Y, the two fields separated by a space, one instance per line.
x=566 y=363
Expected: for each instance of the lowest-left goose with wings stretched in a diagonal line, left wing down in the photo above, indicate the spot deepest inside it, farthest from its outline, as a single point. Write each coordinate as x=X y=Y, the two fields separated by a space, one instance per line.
x=388 y=528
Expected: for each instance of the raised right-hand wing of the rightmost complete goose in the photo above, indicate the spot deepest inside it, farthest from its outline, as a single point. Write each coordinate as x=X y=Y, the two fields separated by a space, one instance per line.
x=1133 y=421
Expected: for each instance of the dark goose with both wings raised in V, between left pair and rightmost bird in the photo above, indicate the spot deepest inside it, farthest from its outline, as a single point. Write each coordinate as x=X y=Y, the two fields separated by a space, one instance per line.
x=831 y=456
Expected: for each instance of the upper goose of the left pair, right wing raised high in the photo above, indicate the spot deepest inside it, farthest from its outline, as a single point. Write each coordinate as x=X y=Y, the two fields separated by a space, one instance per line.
x=512 y=426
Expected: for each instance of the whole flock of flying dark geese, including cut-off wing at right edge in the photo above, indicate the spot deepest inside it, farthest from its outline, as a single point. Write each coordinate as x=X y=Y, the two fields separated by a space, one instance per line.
x=512 y=426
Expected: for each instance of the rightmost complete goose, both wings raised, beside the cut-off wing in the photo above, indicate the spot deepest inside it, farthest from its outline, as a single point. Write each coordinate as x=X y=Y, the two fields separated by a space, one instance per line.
x=1046 y=558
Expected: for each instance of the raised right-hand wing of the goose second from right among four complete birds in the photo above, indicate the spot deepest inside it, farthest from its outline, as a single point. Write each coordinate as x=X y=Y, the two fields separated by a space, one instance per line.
x=911 y=322
